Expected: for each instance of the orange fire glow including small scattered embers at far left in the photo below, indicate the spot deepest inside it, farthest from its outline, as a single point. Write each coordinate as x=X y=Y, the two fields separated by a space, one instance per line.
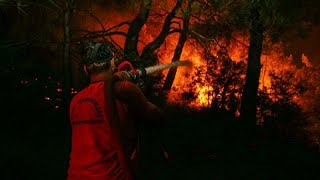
x=209 y=89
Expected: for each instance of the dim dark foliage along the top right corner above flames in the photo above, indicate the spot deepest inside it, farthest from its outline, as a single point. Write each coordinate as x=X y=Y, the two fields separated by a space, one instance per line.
x=281 y=18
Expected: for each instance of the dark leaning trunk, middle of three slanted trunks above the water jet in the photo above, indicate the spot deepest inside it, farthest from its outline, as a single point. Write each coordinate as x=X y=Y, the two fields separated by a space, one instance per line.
x=151 y=47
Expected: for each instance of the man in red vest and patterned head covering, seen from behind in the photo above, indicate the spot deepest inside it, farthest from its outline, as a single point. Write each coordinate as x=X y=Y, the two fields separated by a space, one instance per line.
x=104 y=118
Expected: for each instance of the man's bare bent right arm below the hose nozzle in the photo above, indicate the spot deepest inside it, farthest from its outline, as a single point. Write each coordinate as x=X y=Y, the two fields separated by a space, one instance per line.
x=132 y=95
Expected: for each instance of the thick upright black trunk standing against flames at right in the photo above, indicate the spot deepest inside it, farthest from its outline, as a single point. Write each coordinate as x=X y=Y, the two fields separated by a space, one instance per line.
x=249 y=96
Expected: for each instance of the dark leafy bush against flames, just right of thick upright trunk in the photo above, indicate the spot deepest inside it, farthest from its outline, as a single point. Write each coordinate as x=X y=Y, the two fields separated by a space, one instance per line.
x=279 y=107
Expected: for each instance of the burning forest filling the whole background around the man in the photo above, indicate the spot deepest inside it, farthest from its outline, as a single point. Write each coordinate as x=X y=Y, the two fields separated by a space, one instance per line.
x=256 y=93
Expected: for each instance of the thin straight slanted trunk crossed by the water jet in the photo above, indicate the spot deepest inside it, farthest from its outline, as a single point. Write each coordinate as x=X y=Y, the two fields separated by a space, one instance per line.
x=177 y=53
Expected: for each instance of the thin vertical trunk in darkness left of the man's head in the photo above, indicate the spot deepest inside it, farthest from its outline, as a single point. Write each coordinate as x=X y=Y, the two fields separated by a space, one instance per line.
x=66 y=54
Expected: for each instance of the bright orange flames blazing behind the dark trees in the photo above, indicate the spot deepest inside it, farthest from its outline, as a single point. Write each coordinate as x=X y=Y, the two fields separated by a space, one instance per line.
x=203 y=80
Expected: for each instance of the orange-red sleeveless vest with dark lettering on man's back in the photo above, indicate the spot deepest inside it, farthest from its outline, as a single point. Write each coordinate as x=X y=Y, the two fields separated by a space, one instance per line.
x=95 y=154
